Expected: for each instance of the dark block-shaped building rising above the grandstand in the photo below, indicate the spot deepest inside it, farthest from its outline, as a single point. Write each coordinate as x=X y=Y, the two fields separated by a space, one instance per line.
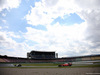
x=42 y=55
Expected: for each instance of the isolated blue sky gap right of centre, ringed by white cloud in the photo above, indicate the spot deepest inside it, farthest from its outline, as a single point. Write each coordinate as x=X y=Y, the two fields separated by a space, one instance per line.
x=69 y=19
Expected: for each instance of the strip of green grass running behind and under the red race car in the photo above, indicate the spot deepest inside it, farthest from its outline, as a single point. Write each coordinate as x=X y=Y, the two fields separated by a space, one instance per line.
x=40 y=65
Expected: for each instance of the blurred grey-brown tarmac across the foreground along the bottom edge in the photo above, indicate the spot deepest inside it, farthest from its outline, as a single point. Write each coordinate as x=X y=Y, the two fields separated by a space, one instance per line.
x=50 y=71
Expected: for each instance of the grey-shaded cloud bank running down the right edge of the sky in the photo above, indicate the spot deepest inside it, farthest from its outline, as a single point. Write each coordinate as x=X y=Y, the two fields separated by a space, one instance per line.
x=91 y=14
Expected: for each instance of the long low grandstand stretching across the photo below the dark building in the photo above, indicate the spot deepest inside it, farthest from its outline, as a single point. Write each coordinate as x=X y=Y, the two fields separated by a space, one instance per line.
x=8 y=59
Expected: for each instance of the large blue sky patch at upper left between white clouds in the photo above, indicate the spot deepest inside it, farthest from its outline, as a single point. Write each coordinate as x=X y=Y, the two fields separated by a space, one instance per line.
x=15 y=17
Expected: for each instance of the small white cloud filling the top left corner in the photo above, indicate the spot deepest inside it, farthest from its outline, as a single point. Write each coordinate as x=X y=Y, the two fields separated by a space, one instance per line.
x=8 y=4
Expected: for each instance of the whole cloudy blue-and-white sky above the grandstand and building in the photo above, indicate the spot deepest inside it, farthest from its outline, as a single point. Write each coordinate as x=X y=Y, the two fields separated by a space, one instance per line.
x=68 y=27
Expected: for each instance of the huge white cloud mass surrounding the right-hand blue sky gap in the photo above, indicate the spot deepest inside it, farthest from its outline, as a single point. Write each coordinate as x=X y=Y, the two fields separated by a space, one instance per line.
x=78 y=39
